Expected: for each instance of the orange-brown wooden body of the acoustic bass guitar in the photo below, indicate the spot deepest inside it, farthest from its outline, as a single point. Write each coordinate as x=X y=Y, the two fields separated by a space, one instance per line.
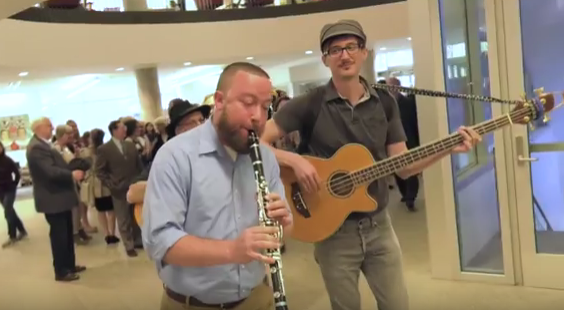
x=317 y=216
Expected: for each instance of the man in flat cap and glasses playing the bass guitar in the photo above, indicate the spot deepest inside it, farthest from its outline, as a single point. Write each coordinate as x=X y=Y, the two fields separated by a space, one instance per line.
x=348 y=110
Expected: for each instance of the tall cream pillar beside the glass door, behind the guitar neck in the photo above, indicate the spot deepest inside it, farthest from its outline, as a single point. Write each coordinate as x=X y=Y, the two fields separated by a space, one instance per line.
x=425 y=30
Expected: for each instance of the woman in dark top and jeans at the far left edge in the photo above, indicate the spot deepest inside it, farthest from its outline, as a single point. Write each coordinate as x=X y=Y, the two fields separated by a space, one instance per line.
x=9 y=179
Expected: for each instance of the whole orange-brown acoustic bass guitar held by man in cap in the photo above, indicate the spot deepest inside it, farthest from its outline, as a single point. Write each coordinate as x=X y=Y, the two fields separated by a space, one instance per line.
x=346 y=175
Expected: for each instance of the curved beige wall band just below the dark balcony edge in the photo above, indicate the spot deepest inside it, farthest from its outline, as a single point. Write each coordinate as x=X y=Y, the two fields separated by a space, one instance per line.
x=27 y=44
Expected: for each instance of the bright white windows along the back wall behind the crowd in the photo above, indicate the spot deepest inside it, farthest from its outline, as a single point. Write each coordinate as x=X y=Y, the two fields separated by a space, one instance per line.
x=94 y=100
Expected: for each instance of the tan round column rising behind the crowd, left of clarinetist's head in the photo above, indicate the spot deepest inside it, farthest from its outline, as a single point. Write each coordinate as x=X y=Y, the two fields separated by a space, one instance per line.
x=149 y=92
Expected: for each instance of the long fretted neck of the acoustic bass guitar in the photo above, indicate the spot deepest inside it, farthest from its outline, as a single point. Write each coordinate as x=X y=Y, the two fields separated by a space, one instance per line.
x=396 y=163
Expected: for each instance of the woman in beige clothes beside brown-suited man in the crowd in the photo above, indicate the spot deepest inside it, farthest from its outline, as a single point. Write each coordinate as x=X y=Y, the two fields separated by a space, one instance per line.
x=97 y=194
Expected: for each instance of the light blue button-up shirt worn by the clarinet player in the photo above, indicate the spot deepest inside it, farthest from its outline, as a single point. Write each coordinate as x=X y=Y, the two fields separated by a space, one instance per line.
x=196 y=188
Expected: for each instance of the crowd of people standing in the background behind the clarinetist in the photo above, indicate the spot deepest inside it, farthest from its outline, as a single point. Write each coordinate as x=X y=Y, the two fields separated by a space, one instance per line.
x=109 y=177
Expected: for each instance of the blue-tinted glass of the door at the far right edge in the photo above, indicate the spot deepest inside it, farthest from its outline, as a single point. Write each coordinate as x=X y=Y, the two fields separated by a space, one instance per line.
x=541 y=24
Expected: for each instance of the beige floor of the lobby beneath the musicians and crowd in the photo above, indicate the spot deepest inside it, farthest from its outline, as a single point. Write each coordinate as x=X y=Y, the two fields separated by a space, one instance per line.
x=116 y=282
